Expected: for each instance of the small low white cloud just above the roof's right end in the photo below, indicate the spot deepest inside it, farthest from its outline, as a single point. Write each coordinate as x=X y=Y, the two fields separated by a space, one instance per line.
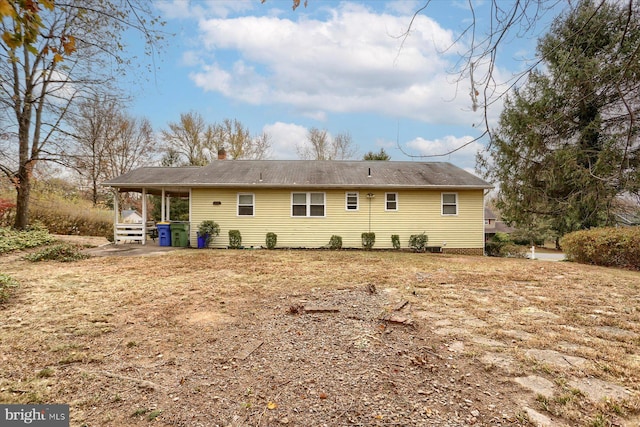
x=464 y=155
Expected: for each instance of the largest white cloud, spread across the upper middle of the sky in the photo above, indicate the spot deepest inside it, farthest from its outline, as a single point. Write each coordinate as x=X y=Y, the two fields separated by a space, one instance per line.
x=350 y=62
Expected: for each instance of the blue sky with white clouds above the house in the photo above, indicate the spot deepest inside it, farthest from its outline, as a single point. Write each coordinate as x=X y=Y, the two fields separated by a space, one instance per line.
x=338 y=66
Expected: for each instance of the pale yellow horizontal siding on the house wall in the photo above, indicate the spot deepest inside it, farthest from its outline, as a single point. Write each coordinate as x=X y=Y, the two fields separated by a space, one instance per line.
x=418 y=211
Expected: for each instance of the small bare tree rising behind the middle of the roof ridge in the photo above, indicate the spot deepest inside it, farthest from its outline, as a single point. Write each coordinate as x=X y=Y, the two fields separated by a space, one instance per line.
x=320 y=146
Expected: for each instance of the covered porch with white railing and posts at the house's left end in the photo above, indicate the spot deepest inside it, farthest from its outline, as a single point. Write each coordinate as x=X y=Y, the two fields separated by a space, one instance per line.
x=145 y=230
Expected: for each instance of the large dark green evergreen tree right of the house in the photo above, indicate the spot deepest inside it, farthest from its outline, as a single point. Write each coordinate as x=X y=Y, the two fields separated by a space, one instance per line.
x=567 y=145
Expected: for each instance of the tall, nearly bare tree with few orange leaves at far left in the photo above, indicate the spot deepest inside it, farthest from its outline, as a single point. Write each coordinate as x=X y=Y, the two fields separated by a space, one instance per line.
x=51 y=55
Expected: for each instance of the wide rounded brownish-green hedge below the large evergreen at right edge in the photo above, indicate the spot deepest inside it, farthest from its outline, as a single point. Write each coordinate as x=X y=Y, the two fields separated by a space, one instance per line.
x=607 y=246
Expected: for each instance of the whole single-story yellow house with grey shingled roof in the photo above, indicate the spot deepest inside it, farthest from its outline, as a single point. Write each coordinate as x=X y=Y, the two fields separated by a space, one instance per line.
x=305 y=203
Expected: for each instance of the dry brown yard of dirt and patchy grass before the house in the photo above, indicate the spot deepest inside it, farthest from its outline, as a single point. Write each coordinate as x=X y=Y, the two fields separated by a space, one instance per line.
x=322 y=338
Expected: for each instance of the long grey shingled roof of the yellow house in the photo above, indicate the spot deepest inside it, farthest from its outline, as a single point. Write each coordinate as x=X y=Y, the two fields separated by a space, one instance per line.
x=302 y=174
